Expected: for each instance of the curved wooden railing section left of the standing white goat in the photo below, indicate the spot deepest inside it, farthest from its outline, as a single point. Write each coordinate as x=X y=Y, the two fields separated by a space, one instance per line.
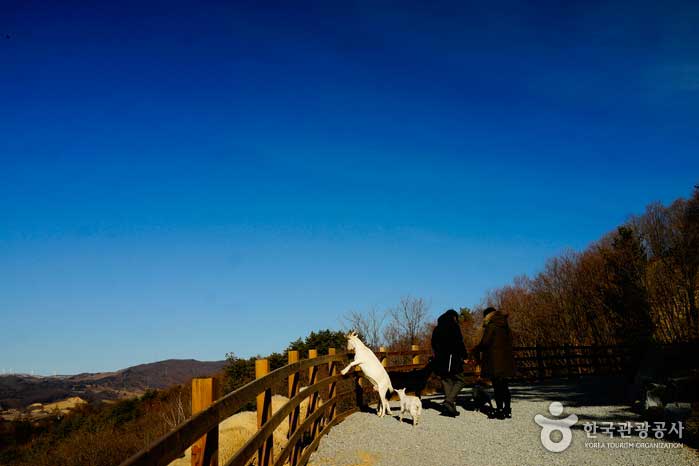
x=201 y=430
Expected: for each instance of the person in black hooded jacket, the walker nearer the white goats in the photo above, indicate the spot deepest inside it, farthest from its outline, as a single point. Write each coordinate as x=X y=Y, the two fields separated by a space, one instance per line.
x=449 y=354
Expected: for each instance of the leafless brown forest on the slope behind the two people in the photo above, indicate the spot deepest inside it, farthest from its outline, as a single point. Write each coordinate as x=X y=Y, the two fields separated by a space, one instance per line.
x=636 y=284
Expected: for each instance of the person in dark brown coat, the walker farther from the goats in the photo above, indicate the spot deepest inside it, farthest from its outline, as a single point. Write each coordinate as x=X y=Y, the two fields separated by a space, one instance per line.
x=496 y=357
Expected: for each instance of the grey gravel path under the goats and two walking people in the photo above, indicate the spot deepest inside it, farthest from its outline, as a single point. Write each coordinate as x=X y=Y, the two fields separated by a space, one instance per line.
x=364 y=439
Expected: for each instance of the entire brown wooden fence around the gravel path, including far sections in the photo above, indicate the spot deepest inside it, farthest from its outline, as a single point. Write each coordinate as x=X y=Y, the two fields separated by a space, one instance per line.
x=409 y=368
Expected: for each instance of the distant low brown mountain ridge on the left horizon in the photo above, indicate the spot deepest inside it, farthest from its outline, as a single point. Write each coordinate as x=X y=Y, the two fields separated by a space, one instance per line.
x=18 y=391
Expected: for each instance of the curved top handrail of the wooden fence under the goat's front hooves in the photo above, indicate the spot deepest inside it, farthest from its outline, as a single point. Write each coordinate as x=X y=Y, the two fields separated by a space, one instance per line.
x=171 y=445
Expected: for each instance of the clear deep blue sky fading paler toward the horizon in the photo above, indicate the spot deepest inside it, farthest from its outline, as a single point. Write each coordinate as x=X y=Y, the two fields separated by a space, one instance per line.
x=185 y=179
